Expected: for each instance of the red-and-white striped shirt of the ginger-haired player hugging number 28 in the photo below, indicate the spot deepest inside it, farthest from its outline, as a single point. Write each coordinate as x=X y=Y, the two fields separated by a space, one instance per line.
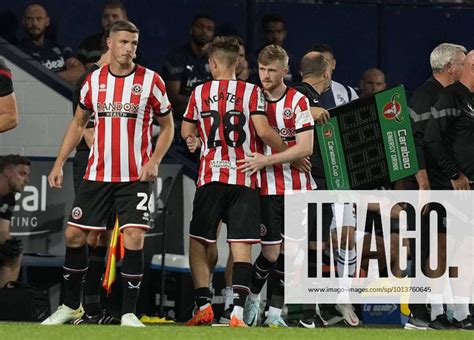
x=288 y=116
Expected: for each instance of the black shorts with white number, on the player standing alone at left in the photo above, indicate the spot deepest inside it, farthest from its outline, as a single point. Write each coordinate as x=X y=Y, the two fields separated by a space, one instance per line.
x=95 y=202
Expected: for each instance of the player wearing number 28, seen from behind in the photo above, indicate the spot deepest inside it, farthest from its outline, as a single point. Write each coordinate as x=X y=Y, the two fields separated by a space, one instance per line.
x=228 y=115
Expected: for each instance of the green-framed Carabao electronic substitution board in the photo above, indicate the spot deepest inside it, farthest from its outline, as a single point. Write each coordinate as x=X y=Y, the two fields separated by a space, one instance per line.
x=368 y=142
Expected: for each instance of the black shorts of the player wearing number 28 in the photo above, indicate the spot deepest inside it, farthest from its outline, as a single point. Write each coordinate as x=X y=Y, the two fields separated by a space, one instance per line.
x=240 y=205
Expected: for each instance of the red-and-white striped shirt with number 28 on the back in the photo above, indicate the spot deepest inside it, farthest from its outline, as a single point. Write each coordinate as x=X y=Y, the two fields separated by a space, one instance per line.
x=222 y=110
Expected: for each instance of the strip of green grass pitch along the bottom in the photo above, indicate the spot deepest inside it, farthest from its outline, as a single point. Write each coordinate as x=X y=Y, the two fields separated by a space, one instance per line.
x=23 y=331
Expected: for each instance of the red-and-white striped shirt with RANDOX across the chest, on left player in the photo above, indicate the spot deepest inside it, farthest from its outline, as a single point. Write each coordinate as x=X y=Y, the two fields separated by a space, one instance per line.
x=123 y=107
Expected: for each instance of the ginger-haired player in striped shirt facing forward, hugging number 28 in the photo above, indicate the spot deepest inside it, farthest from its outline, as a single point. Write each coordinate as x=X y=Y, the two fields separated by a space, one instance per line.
x=289 y=114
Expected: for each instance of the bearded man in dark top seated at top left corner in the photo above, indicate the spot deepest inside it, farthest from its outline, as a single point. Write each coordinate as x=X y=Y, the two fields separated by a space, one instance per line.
x=47 y=52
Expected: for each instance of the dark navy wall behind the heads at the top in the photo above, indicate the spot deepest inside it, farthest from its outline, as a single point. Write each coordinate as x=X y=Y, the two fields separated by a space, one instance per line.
x=394 y=35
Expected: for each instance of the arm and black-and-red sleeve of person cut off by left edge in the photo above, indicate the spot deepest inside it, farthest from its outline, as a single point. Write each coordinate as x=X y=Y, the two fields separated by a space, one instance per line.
x=8 y=108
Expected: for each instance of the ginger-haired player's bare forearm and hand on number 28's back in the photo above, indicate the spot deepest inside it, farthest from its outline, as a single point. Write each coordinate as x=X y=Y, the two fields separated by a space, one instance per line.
x=302 y=148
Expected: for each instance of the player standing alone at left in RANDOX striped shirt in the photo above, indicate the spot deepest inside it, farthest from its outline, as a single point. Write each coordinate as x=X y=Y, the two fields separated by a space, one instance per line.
x=124 y=98
